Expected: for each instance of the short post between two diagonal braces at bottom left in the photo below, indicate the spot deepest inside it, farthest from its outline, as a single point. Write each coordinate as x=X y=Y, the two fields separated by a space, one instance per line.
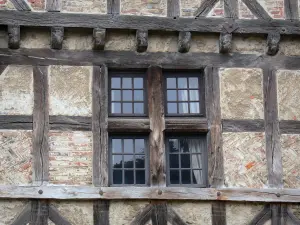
x=39 y=212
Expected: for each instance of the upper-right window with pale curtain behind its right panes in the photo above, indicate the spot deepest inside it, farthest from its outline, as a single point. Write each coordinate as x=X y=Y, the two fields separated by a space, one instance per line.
x=184 y=94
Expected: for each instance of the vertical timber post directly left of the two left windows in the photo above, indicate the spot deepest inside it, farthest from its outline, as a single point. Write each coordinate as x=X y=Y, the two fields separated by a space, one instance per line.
x=100 y=121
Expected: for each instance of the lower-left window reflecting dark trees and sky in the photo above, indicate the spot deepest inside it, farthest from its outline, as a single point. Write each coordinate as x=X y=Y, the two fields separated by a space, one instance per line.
x=129 y=160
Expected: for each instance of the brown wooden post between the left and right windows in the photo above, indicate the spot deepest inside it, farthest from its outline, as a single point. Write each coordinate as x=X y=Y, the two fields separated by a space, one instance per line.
x=157 y=126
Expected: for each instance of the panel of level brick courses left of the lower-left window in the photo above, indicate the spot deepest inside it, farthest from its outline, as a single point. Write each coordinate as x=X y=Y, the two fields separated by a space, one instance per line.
x=70 y=157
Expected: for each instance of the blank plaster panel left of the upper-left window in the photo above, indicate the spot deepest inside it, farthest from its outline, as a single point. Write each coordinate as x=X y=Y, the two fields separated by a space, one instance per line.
x=70 y=90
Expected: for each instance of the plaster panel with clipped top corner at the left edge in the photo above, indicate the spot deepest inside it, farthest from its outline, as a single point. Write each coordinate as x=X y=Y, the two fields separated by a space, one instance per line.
x=16 y=90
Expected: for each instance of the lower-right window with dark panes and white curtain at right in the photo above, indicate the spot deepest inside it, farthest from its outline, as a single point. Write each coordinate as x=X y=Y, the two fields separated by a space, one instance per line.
x=185 y=161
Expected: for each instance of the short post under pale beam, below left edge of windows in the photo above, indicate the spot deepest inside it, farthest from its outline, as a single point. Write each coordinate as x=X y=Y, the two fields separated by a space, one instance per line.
x=101 y=212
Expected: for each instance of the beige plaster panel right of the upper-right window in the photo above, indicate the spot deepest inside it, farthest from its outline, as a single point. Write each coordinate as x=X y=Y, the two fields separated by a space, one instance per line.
x=241 y=93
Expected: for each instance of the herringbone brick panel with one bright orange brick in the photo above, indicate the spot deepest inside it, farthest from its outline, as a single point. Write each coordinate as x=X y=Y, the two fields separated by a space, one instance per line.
x=245 y=162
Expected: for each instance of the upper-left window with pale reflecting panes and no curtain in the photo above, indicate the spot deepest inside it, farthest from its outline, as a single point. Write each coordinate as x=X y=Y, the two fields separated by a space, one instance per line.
x=127 y=94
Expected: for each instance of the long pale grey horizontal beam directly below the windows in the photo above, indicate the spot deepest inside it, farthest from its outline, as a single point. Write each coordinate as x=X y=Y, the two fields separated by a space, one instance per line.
x=155 y=193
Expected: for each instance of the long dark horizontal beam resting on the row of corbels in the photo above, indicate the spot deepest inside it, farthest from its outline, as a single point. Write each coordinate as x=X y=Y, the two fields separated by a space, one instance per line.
x=51 y=19
